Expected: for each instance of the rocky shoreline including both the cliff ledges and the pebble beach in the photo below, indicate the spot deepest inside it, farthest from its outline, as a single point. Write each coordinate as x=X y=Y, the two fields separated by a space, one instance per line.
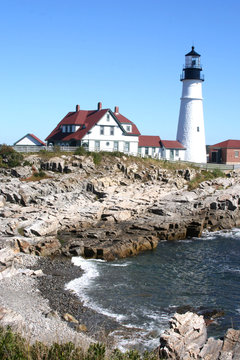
x=110 y=211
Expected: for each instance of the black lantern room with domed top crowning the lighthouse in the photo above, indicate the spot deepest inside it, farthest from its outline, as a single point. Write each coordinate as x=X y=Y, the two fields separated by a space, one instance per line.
x=192 y=68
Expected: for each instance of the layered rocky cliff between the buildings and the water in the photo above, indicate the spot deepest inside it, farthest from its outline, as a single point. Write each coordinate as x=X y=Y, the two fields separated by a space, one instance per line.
x=111 y=210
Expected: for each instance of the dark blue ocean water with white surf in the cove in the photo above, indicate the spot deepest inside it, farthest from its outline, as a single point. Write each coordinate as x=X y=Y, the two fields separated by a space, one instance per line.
x=143 y=292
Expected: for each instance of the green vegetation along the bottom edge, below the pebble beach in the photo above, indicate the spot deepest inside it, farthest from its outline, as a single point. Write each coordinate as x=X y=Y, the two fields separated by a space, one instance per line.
x=15 y=347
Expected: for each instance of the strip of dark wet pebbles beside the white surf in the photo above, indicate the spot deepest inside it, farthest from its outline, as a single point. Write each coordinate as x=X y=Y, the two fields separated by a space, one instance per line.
x=60 y=271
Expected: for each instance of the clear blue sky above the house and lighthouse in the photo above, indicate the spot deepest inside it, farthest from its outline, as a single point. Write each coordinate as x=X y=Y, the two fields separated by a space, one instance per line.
x=56 y=54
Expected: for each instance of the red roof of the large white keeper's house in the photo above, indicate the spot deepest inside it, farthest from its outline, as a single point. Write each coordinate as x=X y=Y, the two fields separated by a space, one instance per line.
x=88 y=118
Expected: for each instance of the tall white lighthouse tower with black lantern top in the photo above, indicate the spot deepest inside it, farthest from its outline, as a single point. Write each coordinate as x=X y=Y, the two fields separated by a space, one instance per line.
x=191 y=131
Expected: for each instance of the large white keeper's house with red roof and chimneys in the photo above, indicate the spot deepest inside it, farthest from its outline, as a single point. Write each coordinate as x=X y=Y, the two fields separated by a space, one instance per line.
x=96 y=130
